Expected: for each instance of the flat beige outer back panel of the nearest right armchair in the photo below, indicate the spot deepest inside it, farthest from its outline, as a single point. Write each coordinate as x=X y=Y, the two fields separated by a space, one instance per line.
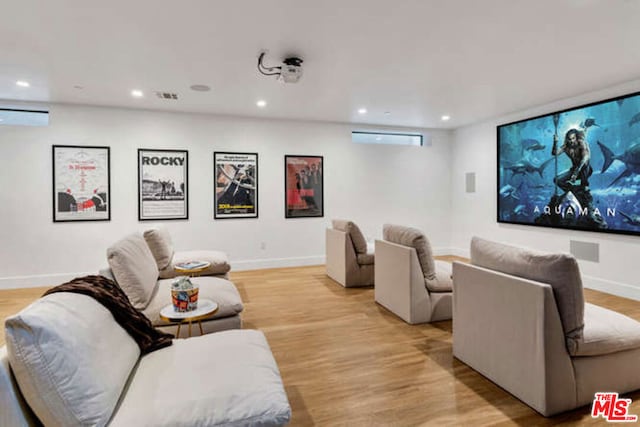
x=508 y=329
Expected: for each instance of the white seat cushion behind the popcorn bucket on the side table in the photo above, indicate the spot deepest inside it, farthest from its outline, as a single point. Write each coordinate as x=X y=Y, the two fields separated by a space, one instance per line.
x=219 y=290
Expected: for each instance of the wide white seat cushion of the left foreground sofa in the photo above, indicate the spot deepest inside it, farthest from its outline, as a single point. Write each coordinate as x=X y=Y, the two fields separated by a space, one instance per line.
x=245 y=388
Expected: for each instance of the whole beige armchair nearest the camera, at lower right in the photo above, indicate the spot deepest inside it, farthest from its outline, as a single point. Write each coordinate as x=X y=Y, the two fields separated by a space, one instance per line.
x=519 y=318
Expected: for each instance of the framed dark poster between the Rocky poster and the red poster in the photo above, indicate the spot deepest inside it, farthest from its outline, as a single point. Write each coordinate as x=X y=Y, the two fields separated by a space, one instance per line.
x=236 y=181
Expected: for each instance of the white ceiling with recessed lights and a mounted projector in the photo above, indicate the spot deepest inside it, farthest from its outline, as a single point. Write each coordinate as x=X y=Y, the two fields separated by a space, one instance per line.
x=418 y=59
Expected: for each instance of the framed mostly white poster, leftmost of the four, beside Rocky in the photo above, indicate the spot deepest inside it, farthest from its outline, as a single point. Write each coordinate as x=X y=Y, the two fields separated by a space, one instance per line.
x=81 y=183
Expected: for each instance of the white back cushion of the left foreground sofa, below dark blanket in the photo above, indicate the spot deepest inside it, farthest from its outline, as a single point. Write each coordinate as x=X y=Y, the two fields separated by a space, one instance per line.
x=70 y=358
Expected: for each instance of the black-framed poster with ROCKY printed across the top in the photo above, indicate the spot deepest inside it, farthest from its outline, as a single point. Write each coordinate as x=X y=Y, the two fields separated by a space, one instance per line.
x=162 y=184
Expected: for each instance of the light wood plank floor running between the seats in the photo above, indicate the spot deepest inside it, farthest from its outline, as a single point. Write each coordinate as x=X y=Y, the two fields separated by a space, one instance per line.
x=346 y=361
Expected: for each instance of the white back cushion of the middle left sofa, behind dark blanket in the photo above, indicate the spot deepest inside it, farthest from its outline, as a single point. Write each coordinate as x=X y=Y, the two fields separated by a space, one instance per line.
x=134 y=268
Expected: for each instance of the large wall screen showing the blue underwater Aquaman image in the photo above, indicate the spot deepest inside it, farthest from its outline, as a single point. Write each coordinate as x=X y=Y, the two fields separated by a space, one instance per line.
x=577 y=169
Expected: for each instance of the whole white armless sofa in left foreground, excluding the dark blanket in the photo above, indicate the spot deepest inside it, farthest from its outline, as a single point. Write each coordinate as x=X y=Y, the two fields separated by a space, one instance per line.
x=69 y=363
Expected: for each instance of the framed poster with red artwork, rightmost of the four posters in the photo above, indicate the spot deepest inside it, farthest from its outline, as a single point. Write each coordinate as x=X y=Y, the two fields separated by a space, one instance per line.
x=303 y=186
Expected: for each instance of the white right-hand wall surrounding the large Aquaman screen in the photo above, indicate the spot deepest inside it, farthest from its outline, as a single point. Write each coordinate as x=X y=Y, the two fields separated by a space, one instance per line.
x=474 y=150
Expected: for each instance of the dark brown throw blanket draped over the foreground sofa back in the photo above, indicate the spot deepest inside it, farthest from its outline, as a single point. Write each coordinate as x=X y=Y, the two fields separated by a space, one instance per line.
x=110 y=295
